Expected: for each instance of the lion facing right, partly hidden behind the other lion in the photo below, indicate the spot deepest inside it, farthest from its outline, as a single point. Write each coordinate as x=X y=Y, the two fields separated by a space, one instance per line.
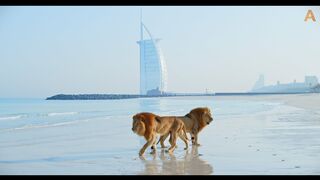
x=196 y=120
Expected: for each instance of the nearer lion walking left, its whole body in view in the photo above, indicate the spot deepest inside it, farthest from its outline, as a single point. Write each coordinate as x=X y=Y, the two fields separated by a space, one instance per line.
x=149 y=125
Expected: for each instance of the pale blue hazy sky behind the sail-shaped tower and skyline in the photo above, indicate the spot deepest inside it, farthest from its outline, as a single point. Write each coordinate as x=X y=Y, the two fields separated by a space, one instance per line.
x=75 y=50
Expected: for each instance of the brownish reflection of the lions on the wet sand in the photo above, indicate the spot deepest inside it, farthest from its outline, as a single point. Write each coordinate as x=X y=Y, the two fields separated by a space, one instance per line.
x=190 y=163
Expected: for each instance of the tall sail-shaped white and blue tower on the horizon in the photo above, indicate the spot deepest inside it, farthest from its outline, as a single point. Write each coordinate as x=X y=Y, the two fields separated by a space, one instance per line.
x=153 y=71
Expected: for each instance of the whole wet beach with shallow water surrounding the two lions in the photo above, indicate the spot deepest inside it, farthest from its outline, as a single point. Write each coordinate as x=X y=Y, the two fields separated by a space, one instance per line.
x=262 y=134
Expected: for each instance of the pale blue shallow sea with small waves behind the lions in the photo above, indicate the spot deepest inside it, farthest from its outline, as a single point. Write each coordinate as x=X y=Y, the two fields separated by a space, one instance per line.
x=19 y=114
